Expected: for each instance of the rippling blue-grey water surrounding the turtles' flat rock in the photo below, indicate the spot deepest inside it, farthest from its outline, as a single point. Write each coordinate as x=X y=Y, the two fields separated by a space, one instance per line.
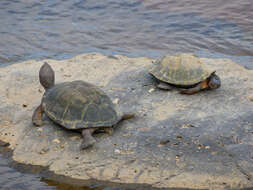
x=61 y=29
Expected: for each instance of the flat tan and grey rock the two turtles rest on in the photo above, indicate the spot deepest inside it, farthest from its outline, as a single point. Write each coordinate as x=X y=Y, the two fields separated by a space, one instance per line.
x=203 y=141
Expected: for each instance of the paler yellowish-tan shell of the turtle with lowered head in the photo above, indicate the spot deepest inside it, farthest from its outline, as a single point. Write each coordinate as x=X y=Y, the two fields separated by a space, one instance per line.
x=184 y=69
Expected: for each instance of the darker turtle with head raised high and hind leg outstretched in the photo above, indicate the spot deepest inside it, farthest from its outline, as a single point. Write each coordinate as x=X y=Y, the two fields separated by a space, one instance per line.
x=76 y=105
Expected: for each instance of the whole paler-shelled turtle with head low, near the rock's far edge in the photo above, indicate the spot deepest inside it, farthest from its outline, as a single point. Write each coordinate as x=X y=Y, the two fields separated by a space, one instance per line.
x=184 y=71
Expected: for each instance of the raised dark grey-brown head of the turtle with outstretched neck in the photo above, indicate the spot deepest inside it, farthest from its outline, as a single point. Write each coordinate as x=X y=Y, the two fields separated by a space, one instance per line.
x=46 y=76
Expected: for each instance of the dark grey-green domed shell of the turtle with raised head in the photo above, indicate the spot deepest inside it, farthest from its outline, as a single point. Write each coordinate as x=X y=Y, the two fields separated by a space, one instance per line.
x=78 y=104
